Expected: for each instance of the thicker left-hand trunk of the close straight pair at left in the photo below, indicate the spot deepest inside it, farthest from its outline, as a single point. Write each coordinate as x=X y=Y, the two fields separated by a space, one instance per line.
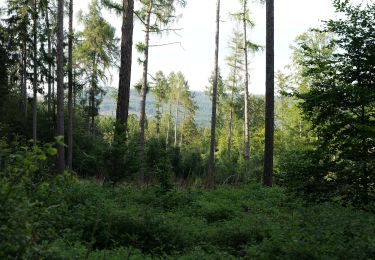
x=60 y=86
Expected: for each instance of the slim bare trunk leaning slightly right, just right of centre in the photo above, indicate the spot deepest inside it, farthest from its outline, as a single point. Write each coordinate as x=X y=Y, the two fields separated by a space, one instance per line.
x=211 y=163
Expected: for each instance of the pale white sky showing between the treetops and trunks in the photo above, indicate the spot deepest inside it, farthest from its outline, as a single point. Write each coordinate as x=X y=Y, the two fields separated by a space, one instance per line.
x=195 y=55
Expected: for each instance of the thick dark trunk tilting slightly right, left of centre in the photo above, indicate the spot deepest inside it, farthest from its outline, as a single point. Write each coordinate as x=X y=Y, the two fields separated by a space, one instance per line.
x=122 y=112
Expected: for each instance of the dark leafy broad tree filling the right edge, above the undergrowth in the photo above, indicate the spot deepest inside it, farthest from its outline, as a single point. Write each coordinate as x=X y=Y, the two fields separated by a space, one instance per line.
x=339 y=99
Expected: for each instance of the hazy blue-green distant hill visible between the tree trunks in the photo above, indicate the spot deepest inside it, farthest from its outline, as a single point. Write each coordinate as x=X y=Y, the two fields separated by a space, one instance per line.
x=108 y=106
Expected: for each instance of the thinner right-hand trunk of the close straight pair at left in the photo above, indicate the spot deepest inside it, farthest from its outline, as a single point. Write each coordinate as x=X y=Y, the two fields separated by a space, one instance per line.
x=70 y=87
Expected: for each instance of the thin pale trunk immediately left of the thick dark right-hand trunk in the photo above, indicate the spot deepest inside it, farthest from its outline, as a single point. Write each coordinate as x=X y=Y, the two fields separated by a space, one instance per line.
x=246 y=90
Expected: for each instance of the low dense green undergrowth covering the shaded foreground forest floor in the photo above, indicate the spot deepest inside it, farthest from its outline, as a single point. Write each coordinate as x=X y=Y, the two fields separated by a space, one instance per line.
x=73 y=219
